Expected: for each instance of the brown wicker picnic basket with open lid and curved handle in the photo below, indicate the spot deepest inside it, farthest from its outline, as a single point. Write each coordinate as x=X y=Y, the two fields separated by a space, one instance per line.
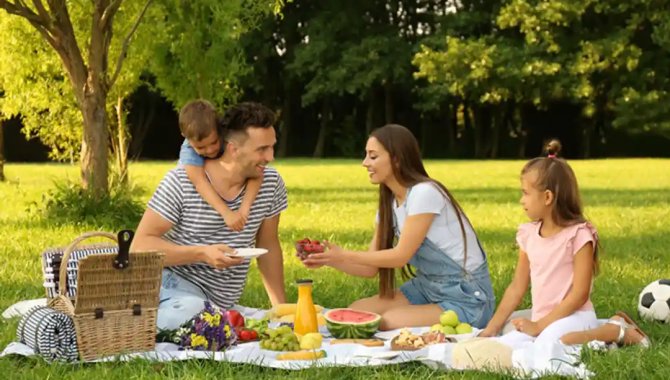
x=115 y=307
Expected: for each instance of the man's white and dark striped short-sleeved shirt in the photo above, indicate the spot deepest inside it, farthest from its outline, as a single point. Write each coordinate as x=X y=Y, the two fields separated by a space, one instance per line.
x=195 y=222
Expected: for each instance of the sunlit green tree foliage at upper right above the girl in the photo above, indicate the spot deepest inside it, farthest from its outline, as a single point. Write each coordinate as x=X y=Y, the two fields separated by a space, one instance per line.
x=609 y=57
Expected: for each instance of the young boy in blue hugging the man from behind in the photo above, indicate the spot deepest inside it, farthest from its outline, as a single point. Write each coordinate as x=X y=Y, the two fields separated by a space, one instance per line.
x=198 y=124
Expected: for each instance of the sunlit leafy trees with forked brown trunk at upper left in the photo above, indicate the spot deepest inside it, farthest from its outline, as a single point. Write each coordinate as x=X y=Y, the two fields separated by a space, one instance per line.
x=74 y=64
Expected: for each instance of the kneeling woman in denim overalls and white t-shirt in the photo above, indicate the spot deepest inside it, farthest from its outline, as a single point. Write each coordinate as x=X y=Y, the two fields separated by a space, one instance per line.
x=433 y=236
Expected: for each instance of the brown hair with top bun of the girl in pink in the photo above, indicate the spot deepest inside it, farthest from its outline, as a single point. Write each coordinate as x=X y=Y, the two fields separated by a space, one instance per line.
x=554 y=174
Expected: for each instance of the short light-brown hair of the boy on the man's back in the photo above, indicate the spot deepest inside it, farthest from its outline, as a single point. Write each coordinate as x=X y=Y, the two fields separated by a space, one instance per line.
x=197 y=119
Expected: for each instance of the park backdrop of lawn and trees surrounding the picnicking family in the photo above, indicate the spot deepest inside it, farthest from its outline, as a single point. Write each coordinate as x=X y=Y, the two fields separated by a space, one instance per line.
x=482 y=84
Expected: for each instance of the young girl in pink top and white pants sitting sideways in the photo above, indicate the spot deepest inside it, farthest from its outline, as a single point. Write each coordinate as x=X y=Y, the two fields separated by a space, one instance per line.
x=558 y=256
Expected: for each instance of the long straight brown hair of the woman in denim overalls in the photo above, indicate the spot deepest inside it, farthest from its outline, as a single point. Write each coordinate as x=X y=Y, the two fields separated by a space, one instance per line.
x=408 y=169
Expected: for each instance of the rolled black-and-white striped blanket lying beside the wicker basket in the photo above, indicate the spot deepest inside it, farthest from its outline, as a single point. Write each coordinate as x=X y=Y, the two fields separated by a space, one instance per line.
x=50 y=333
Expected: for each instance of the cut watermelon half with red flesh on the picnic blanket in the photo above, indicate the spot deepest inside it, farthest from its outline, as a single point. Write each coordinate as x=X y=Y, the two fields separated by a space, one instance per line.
x=352 y=324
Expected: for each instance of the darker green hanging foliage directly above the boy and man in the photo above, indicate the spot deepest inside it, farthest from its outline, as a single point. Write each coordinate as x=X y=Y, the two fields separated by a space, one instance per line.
x=196 y=51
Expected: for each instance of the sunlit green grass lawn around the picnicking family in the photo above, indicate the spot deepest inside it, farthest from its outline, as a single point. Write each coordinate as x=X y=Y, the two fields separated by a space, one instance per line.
x=628 y=201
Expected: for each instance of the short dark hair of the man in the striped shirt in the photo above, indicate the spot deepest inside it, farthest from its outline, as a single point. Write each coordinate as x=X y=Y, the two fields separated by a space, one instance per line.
x=242 y=116
